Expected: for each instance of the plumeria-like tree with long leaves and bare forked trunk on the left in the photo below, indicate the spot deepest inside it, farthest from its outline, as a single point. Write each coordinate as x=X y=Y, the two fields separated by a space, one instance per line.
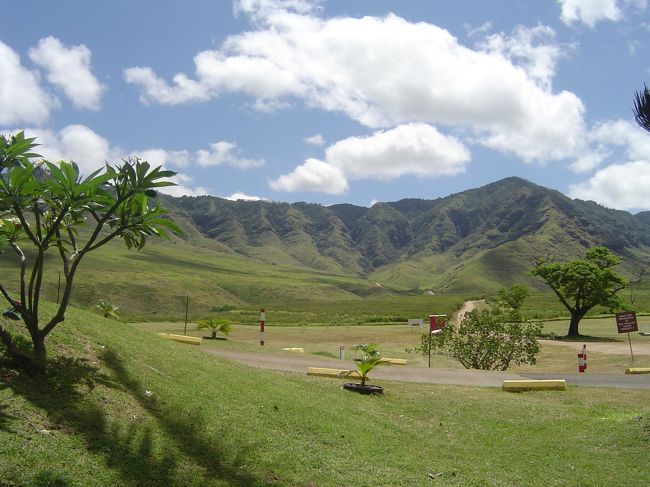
x=43 y=207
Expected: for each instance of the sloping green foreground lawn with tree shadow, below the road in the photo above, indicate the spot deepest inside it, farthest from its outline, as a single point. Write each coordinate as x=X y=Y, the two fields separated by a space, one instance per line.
x=123 y=407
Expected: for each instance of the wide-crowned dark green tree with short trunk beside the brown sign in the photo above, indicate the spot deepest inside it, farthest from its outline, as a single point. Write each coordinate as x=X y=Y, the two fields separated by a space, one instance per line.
x=584 y=283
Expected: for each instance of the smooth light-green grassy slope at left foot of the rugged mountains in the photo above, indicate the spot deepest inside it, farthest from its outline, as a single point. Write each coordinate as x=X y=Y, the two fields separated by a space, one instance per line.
x=155 y=282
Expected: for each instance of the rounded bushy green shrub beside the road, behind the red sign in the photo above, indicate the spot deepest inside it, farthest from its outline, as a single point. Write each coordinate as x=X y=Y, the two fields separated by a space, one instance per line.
x=489 y=340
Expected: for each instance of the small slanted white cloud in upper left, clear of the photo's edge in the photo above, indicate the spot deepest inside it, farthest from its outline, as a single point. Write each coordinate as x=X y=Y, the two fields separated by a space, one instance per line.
x=68 y=68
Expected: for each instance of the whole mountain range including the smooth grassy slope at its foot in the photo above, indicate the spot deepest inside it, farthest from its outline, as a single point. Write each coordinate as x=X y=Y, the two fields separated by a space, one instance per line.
x=401 y=258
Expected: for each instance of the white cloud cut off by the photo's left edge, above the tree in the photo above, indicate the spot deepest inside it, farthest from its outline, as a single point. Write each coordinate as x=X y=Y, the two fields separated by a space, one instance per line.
x=22 y=99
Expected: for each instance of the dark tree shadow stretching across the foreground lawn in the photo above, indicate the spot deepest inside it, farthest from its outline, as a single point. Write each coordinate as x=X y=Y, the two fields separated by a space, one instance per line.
x=128 y=448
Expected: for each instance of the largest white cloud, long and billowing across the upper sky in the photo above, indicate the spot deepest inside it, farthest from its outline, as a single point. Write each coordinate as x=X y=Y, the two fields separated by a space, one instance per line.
x=387 y=71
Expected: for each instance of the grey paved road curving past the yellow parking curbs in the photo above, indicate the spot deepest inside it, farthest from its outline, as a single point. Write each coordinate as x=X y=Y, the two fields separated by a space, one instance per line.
x=299 y=364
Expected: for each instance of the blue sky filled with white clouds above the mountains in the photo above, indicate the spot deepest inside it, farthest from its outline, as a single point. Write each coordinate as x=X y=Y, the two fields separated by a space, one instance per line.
x=337 y=101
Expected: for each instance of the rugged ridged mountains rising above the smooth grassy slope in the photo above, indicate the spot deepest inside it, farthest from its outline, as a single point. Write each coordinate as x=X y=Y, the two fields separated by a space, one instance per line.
x=477 y=240
